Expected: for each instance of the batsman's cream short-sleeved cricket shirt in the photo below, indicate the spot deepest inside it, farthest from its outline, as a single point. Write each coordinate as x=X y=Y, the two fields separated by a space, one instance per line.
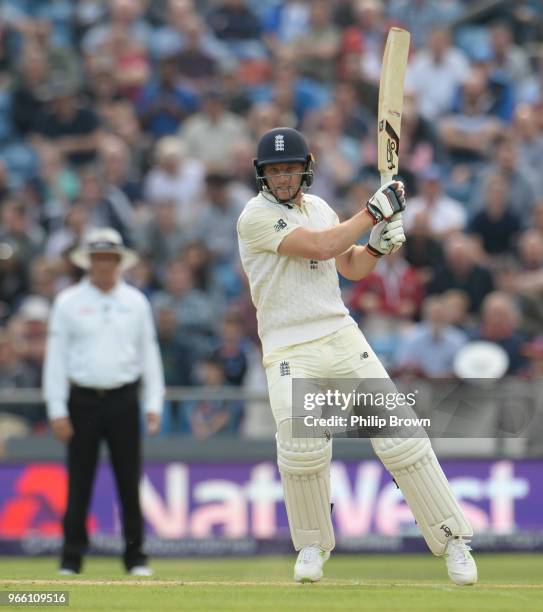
x=297 y=299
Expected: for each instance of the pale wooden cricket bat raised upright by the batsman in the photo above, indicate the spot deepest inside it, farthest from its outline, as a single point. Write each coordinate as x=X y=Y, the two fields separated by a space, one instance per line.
x=389 y=115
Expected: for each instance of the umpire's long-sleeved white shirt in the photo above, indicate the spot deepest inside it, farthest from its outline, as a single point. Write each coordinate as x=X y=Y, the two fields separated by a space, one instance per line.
x=103 y=341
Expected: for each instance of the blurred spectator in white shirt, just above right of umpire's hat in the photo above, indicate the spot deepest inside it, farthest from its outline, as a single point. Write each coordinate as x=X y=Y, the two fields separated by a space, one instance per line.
x=175 y=176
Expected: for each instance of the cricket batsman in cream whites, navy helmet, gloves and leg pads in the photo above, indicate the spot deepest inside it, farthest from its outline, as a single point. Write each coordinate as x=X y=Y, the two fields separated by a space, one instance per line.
x=292 y=247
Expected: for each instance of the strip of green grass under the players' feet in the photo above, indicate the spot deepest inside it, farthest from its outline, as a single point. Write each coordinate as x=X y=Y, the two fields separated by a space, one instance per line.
x=357 y=582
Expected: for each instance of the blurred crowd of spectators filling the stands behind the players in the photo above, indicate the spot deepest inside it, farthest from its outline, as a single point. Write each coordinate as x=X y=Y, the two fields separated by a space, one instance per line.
x=144 y=116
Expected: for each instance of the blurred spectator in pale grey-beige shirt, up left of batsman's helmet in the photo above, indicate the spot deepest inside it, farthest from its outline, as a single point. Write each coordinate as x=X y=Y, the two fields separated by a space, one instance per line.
x=210 y=134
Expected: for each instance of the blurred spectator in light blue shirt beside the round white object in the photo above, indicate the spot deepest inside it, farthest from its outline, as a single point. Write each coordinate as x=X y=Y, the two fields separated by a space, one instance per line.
x=429 y=348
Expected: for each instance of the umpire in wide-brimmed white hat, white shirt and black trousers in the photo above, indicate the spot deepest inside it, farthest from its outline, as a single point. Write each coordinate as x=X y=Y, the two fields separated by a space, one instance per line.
x=101 y=342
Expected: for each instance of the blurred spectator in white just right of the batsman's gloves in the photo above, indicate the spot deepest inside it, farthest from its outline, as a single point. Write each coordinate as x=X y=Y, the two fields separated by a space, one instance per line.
x=445 y=215
